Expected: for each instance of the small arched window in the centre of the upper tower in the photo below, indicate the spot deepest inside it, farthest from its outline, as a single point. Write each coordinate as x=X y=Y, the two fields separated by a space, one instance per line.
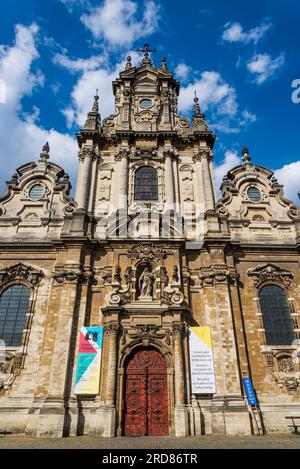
x=146 y=184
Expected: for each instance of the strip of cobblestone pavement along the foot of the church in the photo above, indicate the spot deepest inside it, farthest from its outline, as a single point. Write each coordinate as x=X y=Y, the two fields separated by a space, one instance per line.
x=203 y=442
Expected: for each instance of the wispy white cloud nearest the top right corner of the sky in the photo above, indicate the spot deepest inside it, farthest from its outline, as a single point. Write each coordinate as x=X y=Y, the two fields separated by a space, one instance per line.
x=234 y=32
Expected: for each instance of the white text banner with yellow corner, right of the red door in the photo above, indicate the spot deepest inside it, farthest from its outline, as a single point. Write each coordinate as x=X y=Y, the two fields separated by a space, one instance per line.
x=201 y=361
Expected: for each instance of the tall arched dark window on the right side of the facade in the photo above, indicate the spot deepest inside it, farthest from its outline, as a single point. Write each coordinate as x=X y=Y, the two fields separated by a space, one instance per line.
x=277 y=319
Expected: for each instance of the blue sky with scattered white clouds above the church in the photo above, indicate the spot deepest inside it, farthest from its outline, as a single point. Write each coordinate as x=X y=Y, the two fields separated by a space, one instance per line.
x=242 y=62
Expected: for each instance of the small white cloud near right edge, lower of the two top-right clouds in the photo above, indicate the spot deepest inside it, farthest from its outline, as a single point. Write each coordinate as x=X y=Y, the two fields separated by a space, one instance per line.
x=263 y=66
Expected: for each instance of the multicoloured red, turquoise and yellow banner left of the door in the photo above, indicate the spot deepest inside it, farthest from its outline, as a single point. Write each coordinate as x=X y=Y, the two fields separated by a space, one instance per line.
x=89 y=360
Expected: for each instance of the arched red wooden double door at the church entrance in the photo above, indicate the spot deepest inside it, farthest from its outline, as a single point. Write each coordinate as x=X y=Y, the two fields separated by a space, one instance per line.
x=146 y=394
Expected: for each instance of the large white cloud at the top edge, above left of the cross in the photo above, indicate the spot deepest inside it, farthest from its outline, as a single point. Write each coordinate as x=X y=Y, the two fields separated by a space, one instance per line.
x=117 y=21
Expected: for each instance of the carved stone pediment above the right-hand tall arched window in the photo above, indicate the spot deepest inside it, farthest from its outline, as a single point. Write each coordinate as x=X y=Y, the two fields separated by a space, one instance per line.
x=270 y=273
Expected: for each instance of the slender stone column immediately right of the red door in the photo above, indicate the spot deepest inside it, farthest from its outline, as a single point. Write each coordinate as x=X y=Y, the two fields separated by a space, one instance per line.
x=181 y=421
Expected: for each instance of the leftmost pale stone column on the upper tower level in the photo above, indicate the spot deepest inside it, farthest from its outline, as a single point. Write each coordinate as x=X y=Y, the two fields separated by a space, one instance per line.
x=84 y=174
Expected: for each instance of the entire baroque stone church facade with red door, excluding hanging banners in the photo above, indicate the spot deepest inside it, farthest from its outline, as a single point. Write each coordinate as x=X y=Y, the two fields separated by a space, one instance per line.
x=146 y=251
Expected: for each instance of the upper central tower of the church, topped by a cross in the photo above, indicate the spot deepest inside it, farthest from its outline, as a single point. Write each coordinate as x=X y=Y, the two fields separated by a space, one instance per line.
x=147 y=161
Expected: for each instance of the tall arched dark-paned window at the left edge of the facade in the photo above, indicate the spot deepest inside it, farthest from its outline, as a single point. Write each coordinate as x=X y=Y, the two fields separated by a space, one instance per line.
x=14 y=305
